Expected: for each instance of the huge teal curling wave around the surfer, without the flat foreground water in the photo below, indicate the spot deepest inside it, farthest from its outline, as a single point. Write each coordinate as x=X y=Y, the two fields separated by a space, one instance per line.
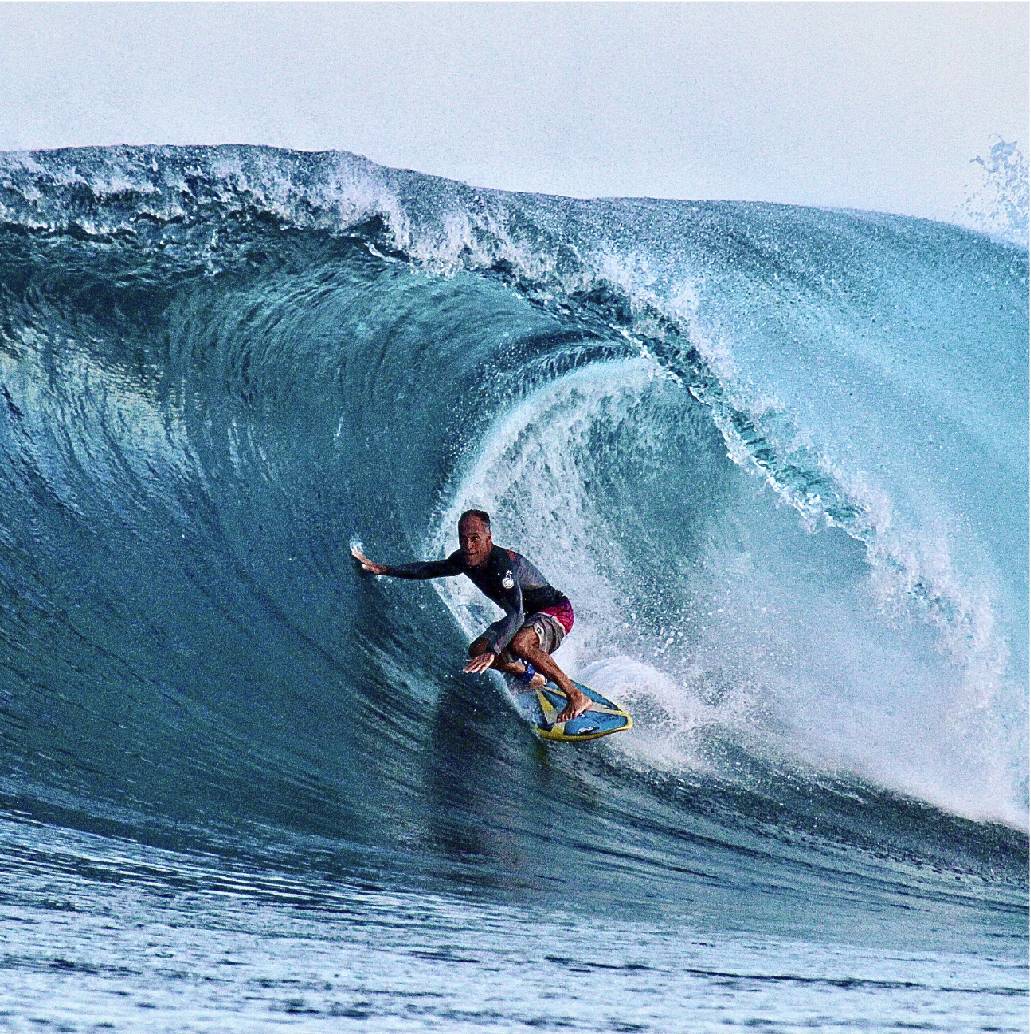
x=776 y=455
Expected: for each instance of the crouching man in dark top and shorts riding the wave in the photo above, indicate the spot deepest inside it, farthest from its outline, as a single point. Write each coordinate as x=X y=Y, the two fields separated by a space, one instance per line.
x=537 y=616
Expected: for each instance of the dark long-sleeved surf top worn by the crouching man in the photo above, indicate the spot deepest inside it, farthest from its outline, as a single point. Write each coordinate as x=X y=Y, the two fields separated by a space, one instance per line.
x=506 y=577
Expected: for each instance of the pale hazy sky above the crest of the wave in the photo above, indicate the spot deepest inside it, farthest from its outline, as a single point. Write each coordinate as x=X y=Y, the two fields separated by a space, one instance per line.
x=860 y=105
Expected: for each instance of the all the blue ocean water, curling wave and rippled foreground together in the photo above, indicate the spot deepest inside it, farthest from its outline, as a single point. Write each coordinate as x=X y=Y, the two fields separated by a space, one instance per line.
x=777 y=457
